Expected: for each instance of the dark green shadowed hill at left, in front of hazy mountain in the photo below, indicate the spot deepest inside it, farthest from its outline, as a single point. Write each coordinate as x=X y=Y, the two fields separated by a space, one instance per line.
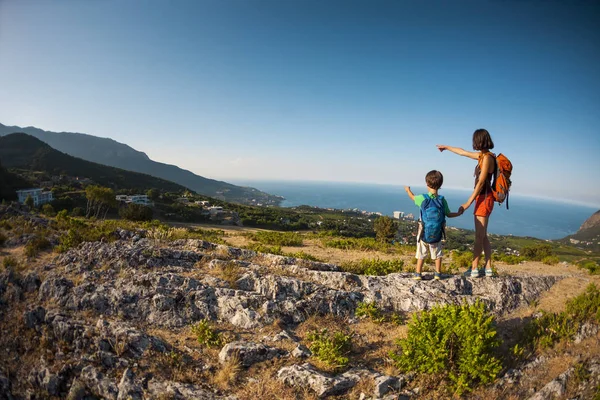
x=22 y=151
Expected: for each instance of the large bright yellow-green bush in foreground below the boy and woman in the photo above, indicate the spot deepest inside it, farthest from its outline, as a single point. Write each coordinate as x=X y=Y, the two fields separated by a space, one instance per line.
x=456 y=342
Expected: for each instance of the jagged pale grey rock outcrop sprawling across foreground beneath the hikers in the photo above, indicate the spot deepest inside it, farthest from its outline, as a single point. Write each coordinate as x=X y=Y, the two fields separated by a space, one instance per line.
x=97 y=306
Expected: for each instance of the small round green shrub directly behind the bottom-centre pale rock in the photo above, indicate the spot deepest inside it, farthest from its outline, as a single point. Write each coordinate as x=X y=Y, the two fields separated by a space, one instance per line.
x=330 y=348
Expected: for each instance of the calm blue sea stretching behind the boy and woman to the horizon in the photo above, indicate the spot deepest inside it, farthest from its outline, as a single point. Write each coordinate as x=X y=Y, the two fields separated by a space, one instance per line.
x=527 y=216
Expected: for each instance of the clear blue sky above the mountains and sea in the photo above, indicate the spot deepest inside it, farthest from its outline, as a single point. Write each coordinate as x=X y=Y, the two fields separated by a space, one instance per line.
x=357 y=91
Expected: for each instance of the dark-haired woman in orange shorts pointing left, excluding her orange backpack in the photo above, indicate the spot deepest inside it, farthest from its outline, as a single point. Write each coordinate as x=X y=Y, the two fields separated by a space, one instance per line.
x=482 y=195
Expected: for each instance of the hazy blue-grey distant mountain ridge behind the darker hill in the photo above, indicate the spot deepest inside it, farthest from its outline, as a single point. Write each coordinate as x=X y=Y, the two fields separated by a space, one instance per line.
x=115 y=154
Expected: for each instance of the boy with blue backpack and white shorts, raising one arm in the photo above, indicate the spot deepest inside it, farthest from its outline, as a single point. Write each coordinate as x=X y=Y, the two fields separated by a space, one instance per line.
x=434 y=210
